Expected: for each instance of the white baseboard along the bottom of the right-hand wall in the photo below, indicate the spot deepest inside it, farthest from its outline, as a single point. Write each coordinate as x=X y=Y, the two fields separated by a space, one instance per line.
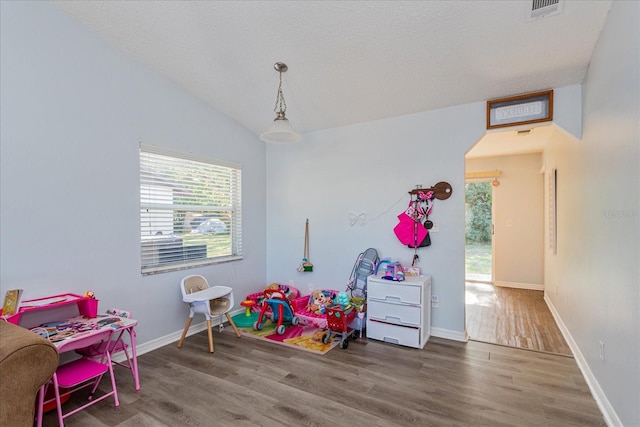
x=610 y=416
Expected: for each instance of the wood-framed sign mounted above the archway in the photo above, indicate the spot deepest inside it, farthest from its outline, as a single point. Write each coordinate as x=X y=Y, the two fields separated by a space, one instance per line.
x=520 y=110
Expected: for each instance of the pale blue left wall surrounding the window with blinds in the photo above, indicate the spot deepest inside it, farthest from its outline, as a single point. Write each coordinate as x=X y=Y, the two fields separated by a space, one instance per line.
x=74 y=109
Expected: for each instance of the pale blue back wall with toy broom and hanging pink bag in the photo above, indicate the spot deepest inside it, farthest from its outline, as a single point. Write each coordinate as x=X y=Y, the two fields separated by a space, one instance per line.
x=369 y=169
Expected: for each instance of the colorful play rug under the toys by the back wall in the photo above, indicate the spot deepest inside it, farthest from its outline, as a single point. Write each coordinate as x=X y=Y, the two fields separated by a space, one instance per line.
x=301 y=337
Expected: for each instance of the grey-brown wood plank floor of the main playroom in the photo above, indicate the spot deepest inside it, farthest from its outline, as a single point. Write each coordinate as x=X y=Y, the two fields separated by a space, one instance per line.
x=255 y=383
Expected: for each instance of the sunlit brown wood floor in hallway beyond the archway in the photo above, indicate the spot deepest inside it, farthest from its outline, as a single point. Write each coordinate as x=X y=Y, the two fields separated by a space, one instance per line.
x=512 y=317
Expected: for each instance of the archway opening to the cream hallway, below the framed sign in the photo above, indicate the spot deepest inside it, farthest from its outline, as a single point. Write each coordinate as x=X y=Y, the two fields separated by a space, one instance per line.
x=509 y=309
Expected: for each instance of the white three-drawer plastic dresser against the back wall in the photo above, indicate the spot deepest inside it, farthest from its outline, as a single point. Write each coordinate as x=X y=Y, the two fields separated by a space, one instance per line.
x=399 y=312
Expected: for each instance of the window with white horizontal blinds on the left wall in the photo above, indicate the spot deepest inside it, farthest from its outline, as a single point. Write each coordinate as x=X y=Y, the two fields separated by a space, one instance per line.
x=190 y=210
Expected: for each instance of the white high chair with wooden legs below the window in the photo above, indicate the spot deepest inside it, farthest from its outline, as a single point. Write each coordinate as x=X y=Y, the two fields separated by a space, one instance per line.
x=210 y=301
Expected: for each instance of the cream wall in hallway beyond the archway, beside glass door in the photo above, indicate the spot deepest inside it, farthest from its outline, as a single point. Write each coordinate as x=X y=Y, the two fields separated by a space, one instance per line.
x=519 y=218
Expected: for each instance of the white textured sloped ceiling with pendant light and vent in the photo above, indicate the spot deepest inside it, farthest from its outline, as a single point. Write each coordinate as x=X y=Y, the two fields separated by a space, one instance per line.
x=349 y=61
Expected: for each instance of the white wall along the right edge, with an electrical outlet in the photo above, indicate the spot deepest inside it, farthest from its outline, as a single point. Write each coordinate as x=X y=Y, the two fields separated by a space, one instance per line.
x=596 y=271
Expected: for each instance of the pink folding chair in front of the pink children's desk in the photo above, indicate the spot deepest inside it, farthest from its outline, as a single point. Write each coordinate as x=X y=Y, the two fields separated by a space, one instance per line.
x=79 y=374
